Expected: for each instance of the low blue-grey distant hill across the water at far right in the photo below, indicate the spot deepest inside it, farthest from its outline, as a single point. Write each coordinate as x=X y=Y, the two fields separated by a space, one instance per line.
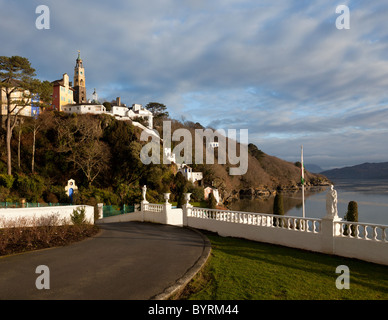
x=361 y=171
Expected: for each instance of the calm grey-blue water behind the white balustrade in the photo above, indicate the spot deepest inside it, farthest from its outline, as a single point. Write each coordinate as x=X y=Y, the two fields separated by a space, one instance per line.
x=371 y=196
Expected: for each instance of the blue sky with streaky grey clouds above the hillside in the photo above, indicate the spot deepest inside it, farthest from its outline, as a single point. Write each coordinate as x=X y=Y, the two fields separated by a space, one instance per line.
x=281 y=69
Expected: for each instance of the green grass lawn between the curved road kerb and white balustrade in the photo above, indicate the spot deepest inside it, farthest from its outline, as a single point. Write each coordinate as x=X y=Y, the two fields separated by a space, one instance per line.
x=240 y=269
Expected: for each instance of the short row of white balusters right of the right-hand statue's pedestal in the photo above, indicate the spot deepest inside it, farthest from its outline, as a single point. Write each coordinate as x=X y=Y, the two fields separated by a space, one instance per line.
x=366 y=231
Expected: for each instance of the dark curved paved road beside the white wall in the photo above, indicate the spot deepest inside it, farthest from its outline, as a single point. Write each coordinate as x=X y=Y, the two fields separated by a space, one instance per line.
x=129 y=260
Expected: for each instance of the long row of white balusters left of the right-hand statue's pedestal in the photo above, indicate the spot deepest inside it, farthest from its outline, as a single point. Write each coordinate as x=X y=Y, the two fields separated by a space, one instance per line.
x=259 y=219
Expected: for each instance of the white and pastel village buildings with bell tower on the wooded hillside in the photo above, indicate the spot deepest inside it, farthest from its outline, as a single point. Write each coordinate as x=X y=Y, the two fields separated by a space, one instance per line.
x=71 y=98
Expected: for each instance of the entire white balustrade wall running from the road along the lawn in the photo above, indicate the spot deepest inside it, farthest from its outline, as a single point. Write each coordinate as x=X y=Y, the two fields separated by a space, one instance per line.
x=363 y=241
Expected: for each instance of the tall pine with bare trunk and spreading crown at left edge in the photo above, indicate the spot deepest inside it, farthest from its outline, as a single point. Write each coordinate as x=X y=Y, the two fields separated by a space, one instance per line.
x=18 y=84
